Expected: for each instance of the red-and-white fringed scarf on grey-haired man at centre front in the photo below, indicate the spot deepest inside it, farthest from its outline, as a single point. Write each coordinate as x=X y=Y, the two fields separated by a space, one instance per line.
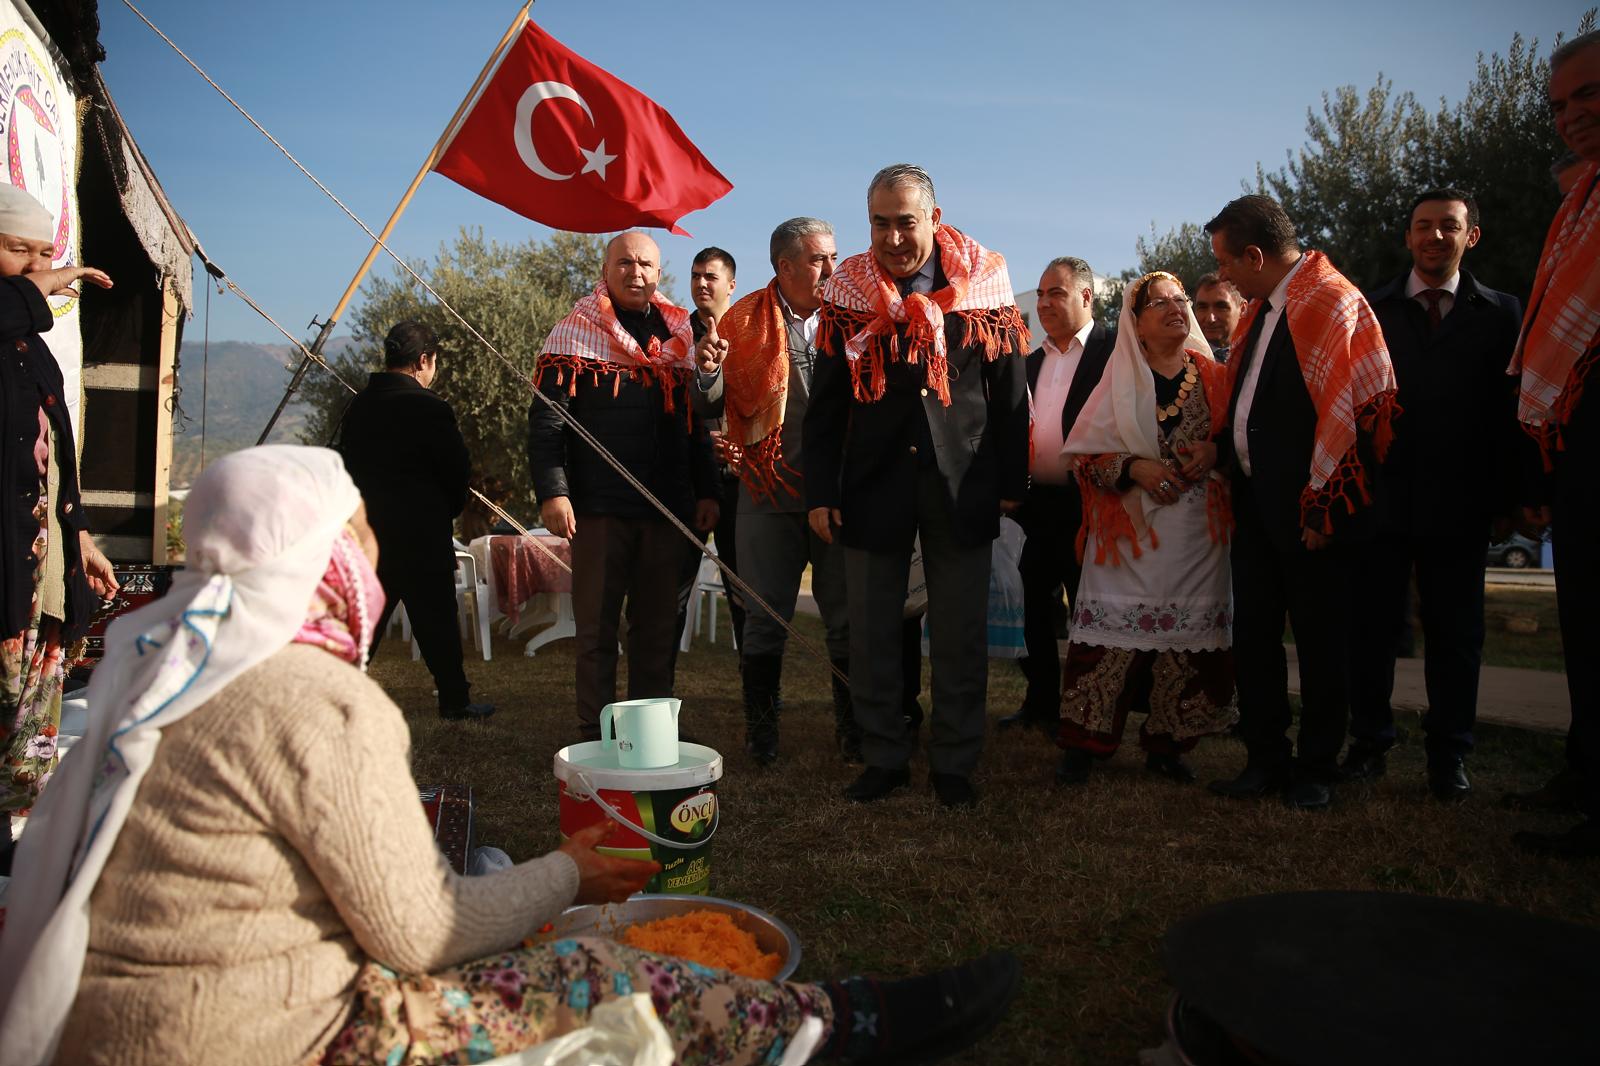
x=863 y=305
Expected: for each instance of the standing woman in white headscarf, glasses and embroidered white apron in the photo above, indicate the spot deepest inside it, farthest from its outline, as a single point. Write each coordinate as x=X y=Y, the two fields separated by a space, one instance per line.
x=1151 y=620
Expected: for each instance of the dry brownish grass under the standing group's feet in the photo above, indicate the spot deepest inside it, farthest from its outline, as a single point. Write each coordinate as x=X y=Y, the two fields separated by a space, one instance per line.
x=1081 y=884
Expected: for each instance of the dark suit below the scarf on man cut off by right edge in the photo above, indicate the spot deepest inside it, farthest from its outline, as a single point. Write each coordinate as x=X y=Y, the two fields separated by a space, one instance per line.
x=1575 y=531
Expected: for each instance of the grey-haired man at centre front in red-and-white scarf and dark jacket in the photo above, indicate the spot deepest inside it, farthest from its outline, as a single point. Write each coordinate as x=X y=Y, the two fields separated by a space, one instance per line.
x=918 y=428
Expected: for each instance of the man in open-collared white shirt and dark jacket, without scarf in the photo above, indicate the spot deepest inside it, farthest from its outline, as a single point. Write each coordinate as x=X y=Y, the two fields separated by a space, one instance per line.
x=1062 y=374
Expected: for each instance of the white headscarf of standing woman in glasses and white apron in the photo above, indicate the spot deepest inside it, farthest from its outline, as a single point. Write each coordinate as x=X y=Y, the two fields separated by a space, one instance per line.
x=1121 y=412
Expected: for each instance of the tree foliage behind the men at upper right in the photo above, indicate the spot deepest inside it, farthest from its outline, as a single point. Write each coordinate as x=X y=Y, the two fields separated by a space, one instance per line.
x=1350 y=188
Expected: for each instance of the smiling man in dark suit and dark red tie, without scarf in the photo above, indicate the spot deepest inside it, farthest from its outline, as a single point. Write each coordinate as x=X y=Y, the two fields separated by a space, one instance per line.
x=1450 y=340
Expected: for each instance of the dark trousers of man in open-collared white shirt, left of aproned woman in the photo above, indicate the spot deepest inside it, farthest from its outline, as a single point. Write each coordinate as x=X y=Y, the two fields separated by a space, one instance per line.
x=1050 y=563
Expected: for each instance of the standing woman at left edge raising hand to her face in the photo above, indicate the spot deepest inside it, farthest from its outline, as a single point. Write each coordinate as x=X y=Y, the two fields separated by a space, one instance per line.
x=49 y=566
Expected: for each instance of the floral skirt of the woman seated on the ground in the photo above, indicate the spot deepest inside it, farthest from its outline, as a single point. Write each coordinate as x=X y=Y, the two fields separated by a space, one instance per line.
x=506 y=1003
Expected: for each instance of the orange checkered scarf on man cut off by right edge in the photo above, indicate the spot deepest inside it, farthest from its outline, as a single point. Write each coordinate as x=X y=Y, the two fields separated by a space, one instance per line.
x=1561 y=332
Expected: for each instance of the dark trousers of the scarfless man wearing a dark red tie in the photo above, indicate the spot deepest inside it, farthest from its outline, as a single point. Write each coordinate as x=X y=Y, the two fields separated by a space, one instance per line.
x=1450 y=596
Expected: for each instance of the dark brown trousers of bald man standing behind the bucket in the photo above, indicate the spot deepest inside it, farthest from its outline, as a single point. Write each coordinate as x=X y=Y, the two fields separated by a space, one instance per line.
x=639 y=561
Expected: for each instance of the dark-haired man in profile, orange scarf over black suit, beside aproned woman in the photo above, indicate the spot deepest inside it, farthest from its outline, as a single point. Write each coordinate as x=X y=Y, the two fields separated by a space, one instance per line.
x=1298 y=503
